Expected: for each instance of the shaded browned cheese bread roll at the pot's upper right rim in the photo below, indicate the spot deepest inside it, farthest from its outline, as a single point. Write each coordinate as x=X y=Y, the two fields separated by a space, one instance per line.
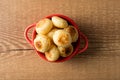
x=73 y=32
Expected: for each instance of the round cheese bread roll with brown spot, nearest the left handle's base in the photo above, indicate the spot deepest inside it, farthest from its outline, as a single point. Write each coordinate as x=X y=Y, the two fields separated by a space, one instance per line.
x=42 y=43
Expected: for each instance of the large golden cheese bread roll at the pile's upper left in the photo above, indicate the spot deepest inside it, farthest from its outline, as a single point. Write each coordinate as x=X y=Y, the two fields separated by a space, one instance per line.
x=44 y=26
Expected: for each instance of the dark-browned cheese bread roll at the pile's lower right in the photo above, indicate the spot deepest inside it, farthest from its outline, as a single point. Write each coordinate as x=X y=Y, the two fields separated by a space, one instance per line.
x=64 y=52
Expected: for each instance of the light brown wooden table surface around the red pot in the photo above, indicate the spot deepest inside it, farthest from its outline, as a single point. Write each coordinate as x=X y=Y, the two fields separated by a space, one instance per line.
x=98 y=19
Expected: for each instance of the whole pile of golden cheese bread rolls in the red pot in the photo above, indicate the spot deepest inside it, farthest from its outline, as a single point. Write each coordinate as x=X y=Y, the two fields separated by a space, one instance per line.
x=55 y=37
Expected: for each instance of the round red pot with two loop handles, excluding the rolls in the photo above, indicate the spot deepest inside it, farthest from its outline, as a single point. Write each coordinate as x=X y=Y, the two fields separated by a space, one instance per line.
x=77 y=49
